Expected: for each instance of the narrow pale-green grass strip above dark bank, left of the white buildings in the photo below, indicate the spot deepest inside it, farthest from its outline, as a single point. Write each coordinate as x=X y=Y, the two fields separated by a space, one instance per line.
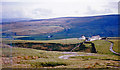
x=62 y=41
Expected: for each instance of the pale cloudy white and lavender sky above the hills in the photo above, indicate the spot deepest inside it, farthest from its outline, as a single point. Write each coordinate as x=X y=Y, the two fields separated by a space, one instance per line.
x=45 y=9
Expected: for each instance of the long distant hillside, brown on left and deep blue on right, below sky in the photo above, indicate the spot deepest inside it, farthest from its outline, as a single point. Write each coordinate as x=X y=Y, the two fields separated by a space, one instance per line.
x=65 y=27
